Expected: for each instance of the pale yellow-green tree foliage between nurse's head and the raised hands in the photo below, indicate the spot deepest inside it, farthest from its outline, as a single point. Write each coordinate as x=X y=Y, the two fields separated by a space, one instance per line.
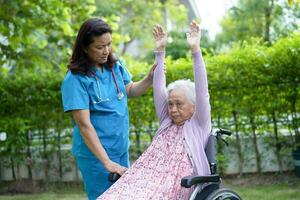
x=132 y=22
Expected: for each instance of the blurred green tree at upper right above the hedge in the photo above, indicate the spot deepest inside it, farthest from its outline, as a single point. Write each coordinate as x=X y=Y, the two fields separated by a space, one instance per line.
x=266 y=20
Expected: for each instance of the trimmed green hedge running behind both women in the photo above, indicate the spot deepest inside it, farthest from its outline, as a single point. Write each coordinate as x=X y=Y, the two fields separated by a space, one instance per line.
x=253 y=89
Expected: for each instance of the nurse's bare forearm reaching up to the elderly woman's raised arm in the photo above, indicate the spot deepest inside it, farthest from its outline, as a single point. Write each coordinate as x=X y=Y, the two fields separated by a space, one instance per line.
x=135 y=89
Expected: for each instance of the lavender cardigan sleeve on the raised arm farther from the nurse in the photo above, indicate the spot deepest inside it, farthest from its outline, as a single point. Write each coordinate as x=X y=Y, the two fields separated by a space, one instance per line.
x=202 y=112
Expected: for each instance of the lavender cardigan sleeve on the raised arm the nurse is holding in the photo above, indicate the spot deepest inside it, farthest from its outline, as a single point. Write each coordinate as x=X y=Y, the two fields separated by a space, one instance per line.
x=159 y=87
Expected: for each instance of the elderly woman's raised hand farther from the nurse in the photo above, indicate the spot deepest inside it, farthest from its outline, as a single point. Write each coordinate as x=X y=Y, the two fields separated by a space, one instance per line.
x=193 y=37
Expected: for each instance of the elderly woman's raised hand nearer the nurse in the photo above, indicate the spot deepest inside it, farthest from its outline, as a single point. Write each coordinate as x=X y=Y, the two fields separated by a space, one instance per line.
x=161 y=38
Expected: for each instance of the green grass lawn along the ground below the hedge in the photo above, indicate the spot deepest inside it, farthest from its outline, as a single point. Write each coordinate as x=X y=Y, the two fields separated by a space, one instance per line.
x=250 y=187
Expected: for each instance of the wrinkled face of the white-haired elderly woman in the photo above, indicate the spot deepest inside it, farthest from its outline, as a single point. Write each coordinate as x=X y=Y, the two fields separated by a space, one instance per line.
x=179 y=107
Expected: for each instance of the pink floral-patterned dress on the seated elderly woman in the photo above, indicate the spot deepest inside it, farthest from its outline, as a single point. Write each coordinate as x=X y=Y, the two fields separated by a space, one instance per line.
x=157 y=173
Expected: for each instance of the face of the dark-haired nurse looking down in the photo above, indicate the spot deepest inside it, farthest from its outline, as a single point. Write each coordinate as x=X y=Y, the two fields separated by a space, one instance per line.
x=99 y=49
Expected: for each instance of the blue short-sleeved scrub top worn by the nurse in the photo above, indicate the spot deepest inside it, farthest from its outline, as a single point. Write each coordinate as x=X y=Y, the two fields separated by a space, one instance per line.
x=109 y=115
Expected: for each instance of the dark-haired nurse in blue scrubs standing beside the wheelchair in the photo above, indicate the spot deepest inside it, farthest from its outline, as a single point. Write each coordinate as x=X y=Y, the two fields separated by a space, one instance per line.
x=95 y=90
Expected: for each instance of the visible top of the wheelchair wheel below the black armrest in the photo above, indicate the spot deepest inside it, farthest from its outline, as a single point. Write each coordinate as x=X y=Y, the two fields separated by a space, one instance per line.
x=223 y=194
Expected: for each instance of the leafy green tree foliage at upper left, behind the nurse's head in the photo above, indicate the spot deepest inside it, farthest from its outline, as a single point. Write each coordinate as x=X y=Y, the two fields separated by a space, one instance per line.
x=35 y=35
